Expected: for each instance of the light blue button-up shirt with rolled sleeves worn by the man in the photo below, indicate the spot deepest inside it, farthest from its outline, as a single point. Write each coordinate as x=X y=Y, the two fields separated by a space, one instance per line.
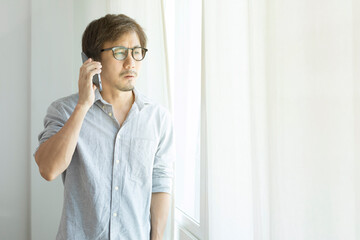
x=114 y=170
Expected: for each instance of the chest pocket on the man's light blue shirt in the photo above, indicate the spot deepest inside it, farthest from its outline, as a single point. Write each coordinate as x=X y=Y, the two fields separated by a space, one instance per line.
x=141 y=159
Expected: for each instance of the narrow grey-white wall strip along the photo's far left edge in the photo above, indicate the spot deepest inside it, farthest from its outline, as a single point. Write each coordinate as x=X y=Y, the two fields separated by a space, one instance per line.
x=15 y=119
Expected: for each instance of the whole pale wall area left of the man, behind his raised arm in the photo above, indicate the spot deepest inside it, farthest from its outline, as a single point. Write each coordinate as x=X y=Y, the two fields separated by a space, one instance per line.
x=40 y=49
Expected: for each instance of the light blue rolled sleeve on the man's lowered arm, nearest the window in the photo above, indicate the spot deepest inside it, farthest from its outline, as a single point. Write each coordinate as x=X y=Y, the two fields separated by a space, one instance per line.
x=163 y=170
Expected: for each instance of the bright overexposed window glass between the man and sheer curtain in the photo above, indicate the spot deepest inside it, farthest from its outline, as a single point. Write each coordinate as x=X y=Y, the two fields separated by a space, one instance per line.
x=187 y=106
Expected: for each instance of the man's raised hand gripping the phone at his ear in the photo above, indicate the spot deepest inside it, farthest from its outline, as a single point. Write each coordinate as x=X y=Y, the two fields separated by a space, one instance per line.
x=86 y=86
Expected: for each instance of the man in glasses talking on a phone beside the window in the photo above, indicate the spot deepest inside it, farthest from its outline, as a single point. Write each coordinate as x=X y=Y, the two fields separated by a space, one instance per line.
x=114 y=148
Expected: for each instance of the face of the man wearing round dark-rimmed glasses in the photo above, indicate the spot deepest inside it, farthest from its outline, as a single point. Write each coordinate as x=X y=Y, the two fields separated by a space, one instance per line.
x=122 y=74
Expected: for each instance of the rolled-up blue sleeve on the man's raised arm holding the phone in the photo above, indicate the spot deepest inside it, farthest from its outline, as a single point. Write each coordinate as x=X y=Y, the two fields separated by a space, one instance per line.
x=53 y=122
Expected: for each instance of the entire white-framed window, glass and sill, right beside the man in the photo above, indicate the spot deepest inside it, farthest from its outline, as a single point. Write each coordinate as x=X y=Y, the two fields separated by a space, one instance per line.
x=185 y=48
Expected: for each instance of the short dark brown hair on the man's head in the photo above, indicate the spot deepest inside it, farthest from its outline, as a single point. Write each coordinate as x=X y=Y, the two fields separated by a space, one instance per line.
x=107 y=29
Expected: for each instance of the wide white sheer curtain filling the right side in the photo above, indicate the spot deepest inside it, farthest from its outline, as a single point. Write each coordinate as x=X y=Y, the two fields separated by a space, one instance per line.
x=282 y=103
